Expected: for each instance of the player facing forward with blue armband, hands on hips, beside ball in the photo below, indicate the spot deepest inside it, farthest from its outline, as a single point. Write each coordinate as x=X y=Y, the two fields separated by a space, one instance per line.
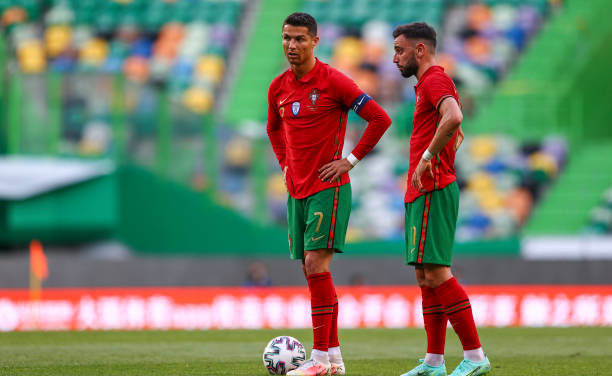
x=307 y=112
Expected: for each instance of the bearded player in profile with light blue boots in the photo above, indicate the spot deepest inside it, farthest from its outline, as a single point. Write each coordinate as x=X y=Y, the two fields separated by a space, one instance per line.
x=432 y=202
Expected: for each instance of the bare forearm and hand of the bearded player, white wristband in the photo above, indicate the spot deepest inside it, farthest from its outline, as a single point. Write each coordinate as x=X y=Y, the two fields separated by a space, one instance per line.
x=450 y=123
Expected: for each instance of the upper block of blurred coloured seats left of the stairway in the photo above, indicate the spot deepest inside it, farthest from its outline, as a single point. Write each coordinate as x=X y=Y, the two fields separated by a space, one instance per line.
x=180 y=44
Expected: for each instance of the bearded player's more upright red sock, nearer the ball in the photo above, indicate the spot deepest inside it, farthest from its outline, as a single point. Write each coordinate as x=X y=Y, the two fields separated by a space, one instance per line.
x=435 y=321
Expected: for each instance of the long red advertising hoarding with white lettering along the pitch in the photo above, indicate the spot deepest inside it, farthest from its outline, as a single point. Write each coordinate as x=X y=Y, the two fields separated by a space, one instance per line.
x=289 y=307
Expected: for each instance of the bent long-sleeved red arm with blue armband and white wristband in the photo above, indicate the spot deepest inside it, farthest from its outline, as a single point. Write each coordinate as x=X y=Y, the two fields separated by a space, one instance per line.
x=378 y=123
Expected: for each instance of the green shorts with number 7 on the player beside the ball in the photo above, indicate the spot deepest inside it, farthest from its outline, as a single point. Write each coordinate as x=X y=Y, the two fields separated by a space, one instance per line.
x=319 y=221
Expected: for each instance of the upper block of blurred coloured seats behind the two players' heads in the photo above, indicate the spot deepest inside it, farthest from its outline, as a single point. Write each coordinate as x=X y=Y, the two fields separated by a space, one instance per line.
x=477 y=41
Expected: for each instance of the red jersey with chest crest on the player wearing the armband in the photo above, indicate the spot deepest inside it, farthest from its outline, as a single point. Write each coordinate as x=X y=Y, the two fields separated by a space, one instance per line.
x=312 y=112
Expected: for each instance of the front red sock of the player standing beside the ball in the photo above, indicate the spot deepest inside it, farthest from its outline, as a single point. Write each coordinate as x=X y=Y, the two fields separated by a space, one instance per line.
x=322 y=304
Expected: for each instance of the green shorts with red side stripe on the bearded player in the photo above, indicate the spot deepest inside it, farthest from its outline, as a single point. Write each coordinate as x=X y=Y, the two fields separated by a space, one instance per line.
x=431 y=220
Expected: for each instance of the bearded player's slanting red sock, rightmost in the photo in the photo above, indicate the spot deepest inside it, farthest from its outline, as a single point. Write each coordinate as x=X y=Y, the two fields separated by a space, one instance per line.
x=459 y=312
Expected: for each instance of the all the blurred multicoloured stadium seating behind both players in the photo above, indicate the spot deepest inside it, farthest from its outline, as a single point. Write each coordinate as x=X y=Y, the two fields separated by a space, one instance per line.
x=145 y=81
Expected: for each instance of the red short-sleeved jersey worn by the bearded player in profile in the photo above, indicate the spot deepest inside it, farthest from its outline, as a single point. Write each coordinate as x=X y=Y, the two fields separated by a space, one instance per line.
x=432 y=88
